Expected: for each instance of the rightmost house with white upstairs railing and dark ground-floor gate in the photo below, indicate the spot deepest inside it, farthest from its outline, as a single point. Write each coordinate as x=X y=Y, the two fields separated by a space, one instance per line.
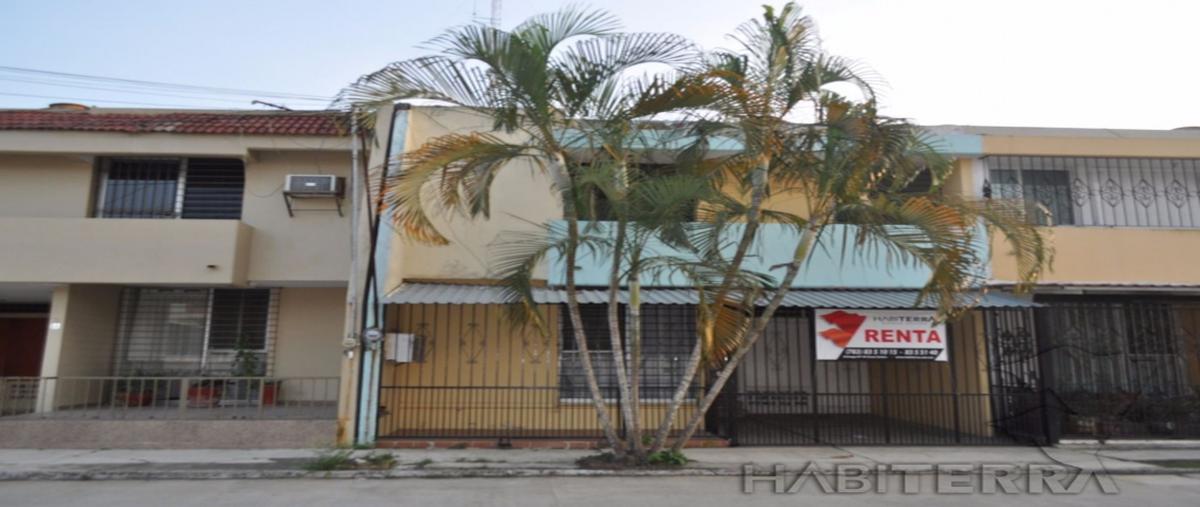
x=1119 y=330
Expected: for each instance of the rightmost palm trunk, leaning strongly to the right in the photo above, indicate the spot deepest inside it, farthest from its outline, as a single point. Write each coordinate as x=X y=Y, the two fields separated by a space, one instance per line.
x=799 y=259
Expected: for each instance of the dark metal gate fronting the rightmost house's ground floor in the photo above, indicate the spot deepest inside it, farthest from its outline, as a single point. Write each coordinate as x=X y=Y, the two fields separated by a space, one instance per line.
x=1123 y=367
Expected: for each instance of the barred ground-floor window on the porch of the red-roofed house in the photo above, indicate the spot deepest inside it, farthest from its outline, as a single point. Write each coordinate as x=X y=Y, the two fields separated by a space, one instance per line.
x=193 y=331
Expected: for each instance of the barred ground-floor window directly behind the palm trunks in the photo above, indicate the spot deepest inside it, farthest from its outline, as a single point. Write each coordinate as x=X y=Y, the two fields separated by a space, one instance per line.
x=668 y=336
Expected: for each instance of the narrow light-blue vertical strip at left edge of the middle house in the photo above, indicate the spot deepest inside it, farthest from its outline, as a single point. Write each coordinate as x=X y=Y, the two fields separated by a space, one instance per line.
x=377 y=276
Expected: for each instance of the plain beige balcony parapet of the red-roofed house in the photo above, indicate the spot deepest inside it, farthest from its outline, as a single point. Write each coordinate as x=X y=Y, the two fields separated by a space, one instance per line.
x=124 y=252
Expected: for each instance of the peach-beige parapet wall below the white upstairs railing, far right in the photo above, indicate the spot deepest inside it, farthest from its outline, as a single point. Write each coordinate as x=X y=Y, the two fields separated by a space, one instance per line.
x=1113 y=255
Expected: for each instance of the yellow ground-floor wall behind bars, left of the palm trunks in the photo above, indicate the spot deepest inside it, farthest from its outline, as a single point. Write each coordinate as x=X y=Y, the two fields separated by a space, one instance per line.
x=481 y=375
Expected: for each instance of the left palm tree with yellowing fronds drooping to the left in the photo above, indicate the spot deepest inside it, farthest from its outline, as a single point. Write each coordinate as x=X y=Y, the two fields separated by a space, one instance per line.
x=561 y=83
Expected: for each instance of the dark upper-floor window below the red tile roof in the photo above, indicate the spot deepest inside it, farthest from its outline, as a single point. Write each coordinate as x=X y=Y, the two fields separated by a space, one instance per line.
x=171 y=188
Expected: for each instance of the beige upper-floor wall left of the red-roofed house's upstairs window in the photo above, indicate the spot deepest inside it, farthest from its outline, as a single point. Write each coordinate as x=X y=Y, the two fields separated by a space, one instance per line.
x=45 y=186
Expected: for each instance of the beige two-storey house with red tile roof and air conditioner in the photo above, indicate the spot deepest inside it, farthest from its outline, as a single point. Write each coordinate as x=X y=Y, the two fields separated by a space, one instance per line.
x=166 y=281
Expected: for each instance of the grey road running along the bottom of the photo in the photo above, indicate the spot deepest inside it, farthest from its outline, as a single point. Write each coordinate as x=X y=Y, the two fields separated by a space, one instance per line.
x=693 y=492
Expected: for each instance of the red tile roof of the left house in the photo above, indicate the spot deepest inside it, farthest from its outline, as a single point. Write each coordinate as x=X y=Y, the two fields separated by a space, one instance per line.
x=225 y=123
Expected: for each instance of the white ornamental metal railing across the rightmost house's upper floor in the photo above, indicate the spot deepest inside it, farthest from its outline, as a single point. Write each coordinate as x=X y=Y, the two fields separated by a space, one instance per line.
x=1095 y=192
